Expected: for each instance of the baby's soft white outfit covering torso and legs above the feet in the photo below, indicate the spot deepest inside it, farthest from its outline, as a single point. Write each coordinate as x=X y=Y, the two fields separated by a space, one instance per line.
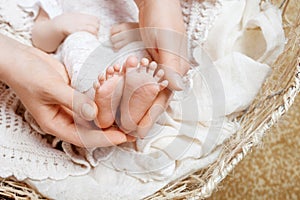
x=77 y=48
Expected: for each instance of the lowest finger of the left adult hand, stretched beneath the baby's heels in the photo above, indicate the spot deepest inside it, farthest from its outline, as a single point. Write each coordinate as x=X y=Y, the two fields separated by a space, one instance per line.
x=62 y=126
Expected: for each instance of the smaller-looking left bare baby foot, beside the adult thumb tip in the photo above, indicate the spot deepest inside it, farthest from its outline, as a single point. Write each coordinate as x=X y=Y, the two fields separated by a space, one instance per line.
x=108 y=93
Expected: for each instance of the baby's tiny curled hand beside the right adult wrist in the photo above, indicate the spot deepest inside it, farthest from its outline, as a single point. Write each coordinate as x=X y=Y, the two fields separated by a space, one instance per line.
x=123 y=34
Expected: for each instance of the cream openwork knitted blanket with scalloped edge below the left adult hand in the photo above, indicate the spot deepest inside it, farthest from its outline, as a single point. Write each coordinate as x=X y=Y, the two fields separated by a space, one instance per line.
x=23 y=151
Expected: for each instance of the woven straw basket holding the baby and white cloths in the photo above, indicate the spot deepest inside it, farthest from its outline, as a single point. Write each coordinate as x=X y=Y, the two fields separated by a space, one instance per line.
x=274 y=99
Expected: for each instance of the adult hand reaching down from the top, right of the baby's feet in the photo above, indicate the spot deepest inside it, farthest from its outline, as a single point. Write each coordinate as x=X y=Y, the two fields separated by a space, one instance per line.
x=163 y=32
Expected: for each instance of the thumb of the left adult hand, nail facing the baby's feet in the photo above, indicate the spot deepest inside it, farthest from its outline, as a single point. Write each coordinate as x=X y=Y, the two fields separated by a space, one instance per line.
x=77 y=102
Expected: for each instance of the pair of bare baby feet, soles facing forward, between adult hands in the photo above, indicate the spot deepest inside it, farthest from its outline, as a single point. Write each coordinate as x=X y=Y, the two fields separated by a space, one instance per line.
x=132 y=89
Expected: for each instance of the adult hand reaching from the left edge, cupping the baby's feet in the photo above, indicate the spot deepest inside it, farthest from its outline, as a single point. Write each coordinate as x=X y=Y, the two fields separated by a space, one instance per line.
x=43 y=89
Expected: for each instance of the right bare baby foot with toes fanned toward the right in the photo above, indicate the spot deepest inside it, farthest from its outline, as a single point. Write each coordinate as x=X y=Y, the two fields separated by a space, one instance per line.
x=140 y=90
